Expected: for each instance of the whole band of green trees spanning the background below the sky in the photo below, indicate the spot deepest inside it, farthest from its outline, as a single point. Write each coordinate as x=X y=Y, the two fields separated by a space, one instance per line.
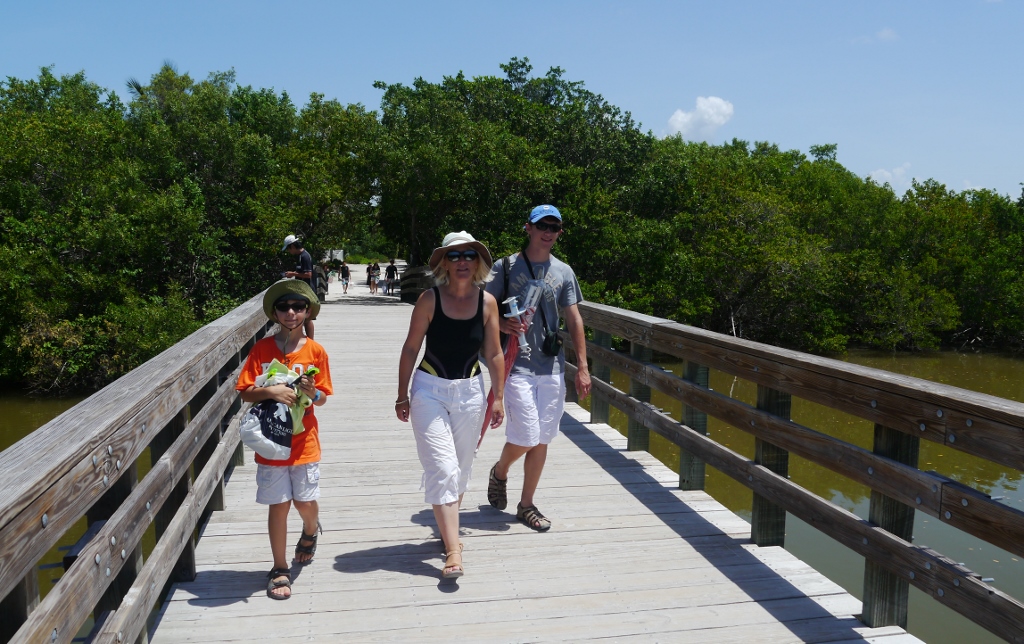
x=125 y=227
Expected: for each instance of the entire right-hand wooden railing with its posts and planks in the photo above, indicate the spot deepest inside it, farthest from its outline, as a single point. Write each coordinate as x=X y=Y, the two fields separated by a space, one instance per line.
x=905 y=411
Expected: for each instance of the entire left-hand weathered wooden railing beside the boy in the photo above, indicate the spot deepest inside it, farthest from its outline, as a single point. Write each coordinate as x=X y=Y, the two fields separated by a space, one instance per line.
x=181 y=406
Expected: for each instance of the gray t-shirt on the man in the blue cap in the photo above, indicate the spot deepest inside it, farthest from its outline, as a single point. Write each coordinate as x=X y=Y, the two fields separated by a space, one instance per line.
x=561 y=290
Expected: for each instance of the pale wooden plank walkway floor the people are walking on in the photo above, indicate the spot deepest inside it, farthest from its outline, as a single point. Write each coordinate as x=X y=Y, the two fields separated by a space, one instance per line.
x=629 y=557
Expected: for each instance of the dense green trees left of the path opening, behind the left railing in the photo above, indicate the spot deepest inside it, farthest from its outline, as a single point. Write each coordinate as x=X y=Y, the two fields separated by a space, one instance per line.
x=126 y=227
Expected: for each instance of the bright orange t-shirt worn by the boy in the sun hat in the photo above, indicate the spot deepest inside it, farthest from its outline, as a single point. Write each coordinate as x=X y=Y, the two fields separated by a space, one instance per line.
x=306 y=447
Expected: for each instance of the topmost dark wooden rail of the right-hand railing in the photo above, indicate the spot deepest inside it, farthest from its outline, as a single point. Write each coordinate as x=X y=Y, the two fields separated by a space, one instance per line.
x=980 y=424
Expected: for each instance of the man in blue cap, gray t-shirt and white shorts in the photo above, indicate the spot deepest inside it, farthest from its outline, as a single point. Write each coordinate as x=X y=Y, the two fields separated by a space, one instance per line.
x=535 y=394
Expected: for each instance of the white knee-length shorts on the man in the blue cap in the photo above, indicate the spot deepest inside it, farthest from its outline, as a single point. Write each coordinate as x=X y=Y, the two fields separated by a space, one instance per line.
x=534 y=407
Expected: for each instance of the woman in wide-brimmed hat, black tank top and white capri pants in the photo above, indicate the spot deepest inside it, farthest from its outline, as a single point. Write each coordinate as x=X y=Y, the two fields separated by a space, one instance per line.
x=448 y=401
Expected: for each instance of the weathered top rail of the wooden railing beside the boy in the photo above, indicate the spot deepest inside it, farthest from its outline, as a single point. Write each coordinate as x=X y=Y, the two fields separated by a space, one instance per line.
x=55 y=477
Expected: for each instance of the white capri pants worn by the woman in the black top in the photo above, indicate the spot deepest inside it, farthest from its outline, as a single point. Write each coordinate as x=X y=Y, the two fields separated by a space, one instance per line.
x=447 y=416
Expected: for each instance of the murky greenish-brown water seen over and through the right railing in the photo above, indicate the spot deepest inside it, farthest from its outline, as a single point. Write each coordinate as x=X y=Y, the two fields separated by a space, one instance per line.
x=996 y=375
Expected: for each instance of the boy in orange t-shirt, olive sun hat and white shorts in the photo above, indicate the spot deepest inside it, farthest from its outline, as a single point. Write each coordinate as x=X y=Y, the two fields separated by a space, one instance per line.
x=295 y=481
